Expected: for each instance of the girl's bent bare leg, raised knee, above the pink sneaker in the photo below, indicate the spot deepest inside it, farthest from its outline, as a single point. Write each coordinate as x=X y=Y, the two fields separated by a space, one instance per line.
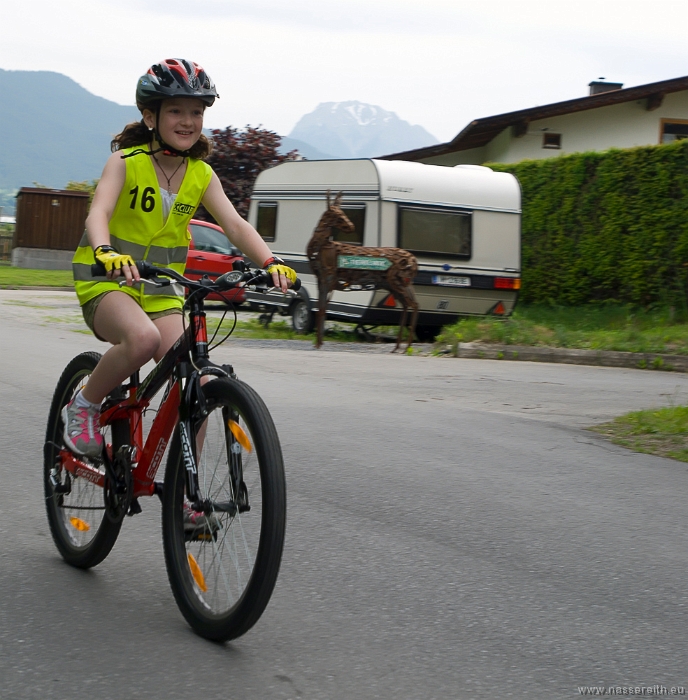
x=135 y=339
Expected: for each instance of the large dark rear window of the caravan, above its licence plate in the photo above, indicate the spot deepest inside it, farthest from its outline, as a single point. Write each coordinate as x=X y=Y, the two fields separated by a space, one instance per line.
x=435 y=231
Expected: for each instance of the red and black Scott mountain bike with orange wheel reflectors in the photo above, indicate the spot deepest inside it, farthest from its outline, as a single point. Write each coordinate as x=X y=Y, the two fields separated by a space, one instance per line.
x=224 y=467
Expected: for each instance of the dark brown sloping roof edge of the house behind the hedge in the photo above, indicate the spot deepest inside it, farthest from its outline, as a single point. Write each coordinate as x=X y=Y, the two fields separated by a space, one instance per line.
x=481 y=131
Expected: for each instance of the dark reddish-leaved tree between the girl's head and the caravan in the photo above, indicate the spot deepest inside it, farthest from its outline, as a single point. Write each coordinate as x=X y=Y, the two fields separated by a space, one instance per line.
x=238 y=157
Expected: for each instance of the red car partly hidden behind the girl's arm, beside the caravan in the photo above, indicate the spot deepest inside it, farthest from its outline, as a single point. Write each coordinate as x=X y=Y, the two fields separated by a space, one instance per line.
x=211 y=253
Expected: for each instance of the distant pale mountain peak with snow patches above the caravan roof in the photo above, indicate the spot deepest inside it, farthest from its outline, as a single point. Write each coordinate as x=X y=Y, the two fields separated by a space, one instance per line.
x=358 y=130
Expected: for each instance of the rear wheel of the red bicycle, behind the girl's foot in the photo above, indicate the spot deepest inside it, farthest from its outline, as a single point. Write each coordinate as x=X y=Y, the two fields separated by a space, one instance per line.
x=81 y=530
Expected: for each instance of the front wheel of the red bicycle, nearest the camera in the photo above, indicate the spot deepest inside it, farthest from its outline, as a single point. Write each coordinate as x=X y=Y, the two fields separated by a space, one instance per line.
x=238 y=564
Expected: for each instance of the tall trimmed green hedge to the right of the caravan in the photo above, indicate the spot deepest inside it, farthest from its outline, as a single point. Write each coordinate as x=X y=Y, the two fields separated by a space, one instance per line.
x=610 y=226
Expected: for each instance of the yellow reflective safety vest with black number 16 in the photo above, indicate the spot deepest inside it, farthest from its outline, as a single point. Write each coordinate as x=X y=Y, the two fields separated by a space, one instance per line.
x=137 y=229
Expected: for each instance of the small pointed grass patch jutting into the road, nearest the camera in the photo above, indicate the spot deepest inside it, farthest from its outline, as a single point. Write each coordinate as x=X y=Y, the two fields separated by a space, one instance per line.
x=662 y=432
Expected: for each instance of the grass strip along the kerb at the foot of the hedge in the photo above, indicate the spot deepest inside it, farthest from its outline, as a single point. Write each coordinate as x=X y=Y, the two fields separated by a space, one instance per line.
x=606 y=327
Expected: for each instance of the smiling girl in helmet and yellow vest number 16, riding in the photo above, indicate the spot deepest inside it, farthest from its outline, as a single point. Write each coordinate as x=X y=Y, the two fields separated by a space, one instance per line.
x=151 y=186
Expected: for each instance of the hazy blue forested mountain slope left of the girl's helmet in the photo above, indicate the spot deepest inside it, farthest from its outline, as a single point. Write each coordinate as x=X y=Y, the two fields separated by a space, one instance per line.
x=52 y=130
